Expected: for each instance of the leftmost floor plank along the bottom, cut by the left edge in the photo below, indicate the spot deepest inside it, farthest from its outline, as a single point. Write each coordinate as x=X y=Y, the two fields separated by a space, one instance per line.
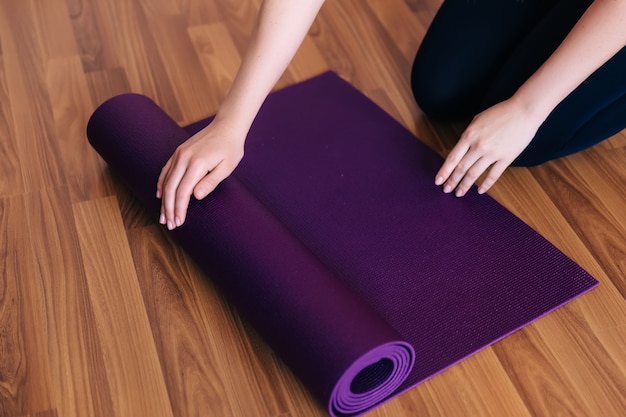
x=24 y=369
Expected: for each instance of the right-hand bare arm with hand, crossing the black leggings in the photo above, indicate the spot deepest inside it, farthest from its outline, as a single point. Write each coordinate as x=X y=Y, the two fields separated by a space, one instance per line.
x=499 y=134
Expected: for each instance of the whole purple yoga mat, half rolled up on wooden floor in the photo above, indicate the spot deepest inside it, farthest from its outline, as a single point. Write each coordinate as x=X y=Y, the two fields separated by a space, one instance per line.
x=332 y=240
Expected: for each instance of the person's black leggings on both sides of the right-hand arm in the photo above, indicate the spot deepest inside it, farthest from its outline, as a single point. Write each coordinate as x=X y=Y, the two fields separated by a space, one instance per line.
x=477 y=53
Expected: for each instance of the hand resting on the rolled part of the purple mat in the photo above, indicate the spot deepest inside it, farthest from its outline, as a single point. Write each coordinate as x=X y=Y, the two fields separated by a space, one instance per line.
x=197 y=167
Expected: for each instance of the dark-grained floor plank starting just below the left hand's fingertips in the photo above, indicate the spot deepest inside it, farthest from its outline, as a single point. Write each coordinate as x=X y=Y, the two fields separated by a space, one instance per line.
x=178 y=323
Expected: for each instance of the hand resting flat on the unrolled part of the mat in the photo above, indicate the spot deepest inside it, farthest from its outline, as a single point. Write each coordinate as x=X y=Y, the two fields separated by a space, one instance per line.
x=491 y=142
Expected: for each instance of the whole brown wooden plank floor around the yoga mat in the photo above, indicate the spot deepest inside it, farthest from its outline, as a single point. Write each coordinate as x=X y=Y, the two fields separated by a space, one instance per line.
x=102 y=315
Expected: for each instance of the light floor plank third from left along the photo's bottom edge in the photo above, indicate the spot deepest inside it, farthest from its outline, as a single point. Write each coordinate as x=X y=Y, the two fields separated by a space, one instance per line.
x=131 y=363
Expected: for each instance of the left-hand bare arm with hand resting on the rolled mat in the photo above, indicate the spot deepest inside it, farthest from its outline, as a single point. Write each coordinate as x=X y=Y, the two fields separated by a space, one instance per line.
x=202 y=162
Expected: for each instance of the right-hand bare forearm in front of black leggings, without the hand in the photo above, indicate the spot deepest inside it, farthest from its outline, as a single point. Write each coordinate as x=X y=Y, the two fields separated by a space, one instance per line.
x=597 y=36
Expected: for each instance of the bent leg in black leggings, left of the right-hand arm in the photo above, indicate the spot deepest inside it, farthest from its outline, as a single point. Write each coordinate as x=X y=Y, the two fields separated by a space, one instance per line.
x=466 y=44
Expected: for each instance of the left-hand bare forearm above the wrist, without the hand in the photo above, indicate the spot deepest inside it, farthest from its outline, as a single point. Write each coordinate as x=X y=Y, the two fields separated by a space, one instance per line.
x=281 y=28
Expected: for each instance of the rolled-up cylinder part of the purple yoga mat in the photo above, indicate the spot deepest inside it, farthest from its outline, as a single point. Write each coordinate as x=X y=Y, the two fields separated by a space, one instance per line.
x=332 y=340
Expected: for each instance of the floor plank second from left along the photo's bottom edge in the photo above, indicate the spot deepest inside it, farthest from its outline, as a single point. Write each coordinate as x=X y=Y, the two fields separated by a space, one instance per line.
x=77 y=370
